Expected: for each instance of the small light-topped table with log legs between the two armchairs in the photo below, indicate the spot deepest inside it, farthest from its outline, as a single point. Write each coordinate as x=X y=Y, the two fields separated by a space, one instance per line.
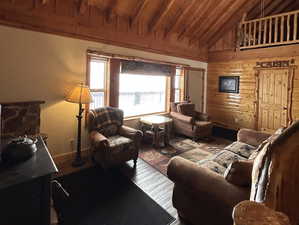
x=156 y=121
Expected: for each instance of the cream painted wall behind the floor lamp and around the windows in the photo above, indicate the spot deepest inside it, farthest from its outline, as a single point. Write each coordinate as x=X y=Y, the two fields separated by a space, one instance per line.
x=39 y=66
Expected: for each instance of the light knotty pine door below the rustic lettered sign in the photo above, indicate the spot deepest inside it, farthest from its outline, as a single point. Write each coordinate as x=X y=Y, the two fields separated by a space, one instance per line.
x=272 y=99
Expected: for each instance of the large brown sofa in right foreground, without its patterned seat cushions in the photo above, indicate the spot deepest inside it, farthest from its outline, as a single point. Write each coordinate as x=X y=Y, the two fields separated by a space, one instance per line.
x=203 y=196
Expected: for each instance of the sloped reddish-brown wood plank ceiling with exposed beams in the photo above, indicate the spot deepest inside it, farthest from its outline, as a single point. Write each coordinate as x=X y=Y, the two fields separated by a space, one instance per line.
x=181 y=28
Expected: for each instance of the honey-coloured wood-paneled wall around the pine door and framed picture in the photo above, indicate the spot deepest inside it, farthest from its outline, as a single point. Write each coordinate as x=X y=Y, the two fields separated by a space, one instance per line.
x=237 y=110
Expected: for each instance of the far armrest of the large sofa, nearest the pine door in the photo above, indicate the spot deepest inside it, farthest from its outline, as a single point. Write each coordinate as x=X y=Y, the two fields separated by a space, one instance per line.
x=252 y=137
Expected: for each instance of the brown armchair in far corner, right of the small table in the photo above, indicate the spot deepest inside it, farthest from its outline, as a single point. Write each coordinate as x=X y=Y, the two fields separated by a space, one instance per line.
x=188 y=122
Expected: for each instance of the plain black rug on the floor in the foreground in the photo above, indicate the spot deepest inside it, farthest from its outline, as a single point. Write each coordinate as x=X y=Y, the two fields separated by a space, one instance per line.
x=100 y=197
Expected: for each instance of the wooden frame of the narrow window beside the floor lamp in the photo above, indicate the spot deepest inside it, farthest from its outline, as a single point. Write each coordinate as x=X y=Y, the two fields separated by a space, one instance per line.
x=104 y=90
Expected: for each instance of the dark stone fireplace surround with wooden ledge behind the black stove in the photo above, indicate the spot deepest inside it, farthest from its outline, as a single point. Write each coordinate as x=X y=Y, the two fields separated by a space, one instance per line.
x=20 y=118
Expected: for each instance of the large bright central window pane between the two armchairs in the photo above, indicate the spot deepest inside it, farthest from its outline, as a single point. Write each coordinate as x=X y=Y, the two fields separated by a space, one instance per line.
x=142 y=94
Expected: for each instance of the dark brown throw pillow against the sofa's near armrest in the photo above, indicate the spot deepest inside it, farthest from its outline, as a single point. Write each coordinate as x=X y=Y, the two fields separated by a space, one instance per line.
x=239 y=173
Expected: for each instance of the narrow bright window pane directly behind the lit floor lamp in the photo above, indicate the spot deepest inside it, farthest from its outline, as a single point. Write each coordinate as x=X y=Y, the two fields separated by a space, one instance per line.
x=97 y=81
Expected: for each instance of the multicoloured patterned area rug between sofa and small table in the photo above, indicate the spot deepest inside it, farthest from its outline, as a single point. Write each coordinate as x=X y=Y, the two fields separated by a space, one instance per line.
x=183 y=147
